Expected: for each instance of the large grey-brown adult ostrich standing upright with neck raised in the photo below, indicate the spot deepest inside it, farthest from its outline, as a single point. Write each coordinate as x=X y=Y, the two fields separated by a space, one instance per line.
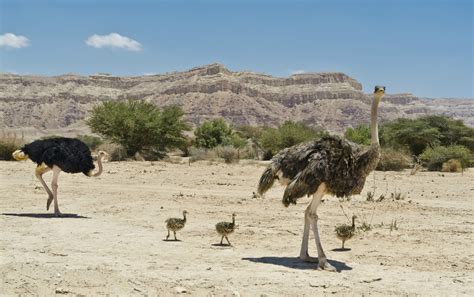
x=330 y=165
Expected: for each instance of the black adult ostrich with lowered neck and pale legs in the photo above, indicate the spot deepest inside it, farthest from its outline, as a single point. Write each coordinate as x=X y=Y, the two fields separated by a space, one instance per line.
x=59 y=154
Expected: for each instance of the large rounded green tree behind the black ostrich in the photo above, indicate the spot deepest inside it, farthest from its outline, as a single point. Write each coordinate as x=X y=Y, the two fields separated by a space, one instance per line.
x=139 y=126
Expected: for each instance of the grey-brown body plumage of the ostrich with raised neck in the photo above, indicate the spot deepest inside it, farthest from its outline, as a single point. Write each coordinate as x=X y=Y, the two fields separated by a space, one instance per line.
x=331 y=159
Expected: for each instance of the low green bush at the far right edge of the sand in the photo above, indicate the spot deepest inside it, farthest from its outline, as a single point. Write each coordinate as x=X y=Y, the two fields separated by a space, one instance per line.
x=433 y=158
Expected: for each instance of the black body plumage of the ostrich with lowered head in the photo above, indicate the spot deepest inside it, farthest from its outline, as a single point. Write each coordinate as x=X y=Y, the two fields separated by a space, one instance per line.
x=69 y=154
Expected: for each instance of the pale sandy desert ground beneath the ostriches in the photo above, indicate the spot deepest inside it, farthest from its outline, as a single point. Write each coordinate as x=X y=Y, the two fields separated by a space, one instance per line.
x=111 y=239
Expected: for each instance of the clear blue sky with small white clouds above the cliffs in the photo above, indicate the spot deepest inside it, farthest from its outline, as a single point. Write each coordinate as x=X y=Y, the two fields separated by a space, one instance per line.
x=420 y=46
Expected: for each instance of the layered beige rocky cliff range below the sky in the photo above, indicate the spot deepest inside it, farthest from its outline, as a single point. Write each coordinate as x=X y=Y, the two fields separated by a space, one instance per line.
x=330 y=100
